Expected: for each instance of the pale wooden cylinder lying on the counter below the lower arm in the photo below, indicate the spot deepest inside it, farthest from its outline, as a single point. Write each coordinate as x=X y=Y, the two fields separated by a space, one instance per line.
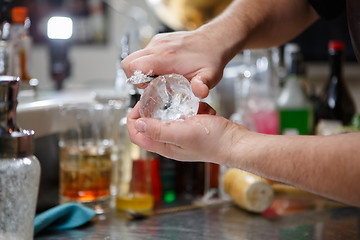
x=247 y=190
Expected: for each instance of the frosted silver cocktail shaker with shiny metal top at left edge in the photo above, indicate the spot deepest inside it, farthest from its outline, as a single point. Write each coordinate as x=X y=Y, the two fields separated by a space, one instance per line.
x=19 y=168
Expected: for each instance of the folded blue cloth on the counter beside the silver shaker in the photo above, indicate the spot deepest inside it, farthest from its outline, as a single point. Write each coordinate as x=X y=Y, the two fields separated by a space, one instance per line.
x=65 y=216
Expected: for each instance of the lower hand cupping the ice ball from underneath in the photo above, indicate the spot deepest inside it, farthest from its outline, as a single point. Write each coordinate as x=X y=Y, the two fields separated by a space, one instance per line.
x=203 y=137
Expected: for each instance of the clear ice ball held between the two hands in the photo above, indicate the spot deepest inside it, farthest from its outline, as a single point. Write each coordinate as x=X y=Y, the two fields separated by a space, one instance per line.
x=169 y=98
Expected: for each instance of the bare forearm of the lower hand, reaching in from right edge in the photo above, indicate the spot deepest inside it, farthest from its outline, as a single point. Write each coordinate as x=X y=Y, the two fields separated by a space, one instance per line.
x=324 y=165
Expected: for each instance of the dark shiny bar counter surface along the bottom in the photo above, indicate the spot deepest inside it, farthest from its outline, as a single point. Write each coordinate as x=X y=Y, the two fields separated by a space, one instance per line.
x=221 y=221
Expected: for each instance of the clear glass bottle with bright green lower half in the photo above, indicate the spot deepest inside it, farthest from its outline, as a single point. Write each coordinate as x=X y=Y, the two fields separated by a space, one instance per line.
x=294 y=107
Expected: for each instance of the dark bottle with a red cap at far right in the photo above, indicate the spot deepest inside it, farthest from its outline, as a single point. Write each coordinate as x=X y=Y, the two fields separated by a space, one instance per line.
x=335 y=102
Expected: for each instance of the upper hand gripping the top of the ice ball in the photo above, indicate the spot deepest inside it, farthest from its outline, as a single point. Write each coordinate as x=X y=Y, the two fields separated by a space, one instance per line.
x=191 y=54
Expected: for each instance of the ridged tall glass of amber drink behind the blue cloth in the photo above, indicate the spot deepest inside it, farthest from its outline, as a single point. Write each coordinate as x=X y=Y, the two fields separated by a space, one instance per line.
x=85 y=155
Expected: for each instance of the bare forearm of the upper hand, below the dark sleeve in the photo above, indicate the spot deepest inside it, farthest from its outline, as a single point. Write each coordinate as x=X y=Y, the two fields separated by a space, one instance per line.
x=247 y=24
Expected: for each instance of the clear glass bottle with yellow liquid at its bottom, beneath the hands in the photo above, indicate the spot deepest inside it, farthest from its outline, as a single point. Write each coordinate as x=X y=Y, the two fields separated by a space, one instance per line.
x=135 y=173
